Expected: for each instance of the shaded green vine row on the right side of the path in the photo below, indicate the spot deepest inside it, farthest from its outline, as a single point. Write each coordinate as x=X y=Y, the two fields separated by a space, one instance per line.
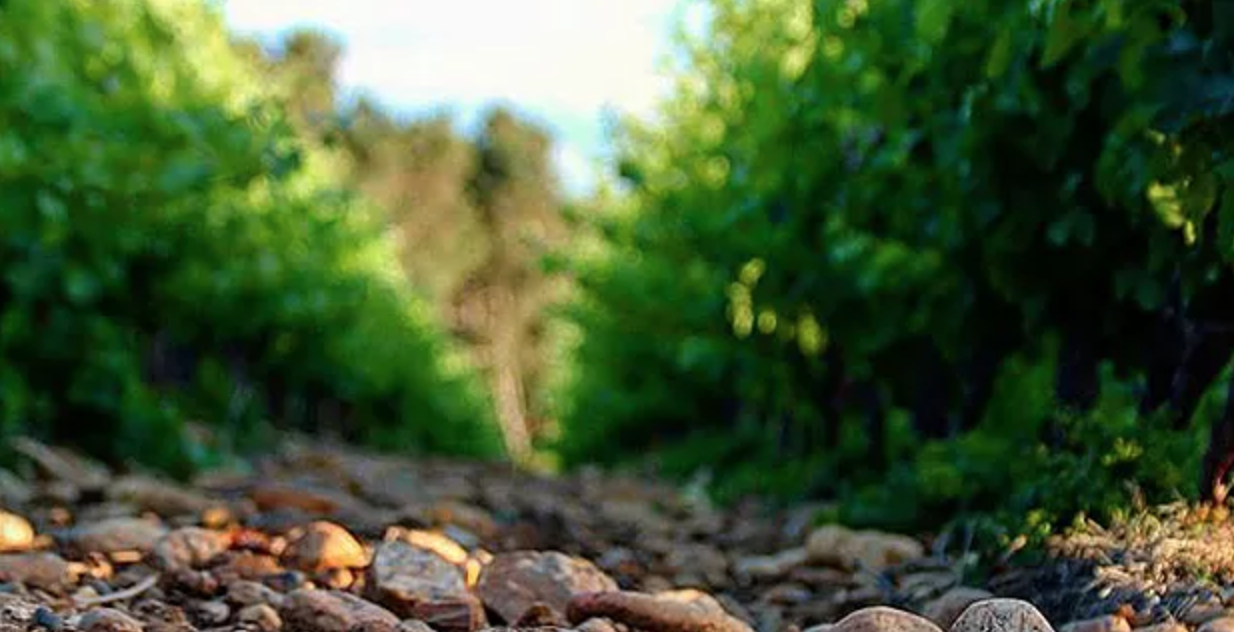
x=840 y=191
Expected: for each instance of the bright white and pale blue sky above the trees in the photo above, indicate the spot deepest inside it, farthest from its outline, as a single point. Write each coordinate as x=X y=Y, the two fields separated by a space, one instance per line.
x=565 y=62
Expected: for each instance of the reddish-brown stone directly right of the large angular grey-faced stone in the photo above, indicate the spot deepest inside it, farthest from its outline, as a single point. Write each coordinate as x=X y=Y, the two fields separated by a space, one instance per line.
x=515 y=582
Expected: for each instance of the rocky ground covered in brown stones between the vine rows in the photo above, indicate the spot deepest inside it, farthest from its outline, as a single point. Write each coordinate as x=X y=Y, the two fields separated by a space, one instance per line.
x=320 y=540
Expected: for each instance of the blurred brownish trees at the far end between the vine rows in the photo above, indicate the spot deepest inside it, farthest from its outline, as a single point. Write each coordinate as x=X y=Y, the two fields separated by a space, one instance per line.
x=473 y=217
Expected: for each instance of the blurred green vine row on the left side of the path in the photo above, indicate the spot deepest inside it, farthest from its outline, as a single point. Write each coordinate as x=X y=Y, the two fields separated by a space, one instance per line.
x=150 y=191
